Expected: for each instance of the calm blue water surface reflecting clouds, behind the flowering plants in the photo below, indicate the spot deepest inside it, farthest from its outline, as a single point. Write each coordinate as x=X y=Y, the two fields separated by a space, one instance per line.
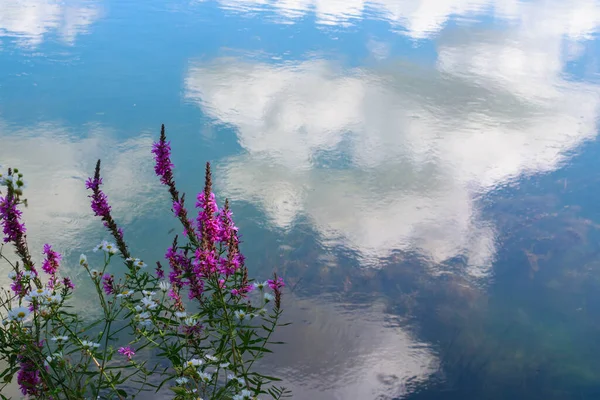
x=422 y=173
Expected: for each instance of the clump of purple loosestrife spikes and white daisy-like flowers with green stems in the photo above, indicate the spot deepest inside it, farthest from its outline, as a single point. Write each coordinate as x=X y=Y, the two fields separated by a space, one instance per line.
x=197 y=328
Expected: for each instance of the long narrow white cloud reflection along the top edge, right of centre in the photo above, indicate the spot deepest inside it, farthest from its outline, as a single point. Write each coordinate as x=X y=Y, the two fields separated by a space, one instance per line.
x=421 y=18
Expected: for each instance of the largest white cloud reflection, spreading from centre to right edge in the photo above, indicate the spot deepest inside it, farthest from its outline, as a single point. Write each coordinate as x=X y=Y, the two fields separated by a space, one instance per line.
x=419 y=145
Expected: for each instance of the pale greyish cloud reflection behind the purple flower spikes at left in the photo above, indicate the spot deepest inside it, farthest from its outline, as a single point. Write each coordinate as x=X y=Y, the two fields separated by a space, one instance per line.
x=56 y=162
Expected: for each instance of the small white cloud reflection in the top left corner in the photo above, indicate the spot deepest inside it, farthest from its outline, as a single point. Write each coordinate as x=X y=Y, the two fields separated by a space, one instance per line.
x=30 y=20
